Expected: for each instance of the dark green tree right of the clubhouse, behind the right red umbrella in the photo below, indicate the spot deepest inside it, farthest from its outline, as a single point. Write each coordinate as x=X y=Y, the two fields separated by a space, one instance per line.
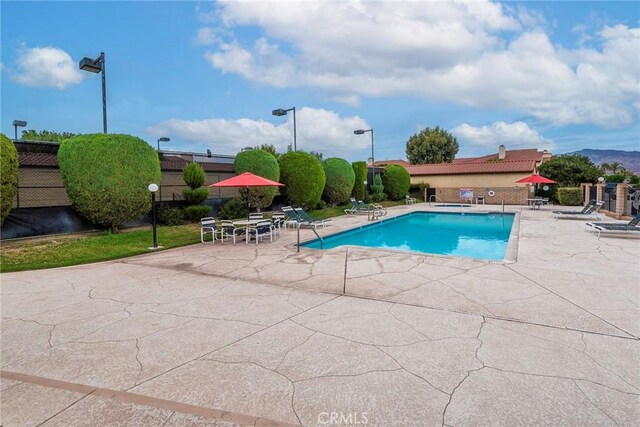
x=570 y=170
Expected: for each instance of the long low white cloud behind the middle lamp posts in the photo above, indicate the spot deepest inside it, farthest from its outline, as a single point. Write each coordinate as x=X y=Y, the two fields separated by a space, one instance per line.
x=317 y=130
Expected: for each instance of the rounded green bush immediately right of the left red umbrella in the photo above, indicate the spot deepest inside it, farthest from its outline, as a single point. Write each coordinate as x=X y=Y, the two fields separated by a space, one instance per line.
x=303 y=177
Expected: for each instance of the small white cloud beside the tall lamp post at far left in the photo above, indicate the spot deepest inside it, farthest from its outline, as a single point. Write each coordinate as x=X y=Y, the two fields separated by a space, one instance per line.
x=47 y=67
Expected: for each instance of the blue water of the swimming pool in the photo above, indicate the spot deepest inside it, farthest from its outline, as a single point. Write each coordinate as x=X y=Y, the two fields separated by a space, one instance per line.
x=469 y=235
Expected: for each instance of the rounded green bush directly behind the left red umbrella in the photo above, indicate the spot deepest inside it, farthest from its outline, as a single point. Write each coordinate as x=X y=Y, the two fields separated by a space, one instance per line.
x=264 y=164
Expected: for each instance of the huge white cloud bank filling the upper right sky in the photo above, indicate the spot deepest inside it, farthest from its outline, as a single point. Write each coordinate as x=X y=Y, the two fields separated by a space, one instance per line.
x=441 y=51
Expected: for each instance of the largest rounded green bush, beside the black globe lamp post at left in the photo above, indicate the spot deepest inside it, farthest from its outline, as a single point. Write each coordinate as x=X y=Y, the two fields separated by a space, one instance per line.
x=106 y=176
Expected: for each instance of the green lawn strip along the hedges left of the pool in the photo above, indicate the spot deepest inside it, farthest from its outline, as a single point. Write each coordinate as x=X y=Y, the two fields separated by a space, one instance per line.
x=64 y=251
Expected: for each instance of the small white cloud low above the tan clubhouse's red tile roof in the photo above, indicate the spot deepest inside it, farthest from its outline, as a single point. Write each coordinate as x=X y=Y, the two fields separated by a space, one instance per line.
x=513 y=135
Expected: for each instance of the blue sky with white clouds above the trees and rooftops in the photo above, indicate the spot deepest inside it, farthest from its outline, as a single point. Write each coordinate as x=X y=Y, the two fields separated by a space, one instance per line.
x=556 y=75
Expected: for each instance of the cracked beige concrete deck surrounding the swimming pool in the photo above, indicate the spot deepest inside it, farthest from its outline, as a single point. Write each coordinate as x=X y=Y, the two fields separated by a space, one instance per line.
x=245 y=334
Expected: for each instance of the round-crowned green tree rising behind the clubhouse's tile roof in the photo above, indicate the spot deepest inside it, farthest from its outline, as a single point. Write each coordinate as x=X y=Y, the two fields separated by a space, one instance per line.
x=432 y=146
